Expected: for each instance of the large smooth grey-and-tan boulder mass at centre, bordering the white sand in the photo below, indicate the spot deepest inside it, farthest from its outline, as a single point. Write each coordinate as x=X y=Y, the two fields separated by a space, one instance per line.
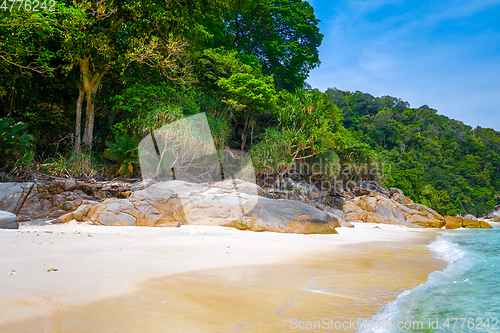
x=231 y=203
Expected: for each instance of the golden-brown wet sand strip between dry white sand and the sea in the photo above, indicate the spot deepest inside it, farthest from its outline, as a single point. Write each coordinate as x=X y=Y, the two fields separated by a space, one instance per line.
x=352 y=281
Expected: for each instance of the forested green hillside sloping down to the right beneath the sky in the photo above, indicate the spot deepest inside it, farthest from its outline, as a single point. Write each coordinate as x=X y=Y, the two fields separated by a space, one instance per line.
x=436 y=161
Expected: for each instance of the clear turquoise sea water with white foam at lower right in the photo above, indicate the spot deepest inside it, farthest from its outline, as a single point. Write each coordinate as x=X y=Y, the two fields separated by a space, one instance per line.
x=464 y=297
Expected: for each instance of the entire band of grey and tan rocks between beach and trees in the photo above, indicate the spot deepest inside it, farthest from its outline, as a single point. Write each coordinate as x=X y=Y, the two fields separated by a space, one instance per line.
x=291 y=206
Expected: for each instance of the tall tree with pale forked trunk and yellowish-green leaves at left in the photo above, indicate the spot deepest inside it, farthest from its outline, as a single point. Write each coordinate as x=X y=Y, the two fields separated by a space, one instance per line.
x=118 y=33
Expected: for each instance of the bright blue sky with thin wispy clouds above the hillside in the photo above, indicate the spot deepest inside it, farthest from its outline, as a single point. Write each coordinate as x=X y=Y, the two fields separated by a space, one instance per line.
x=445 y=54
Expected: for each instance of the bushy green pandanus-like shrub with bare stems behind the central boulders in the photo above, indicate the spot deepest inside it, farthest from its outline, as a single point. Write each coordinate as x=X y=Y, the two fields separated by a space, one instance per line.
x=310 y=136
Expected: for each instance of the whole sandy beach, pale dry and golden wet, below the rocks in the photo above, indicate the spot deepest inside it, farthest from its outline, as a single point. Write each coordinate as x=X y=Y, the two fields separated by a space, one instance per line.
x=109 y=277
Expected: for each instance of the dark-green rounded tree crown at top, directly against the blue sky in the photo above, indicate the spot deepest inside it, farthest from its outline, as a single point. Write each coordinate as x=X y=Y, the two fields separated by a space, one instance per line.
x=282 y=34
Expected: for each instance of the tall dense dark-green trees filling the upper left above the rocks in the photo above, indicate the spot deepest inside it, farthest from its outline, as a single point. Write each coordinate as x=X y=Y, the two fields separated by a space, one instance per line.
x=69 y=67
